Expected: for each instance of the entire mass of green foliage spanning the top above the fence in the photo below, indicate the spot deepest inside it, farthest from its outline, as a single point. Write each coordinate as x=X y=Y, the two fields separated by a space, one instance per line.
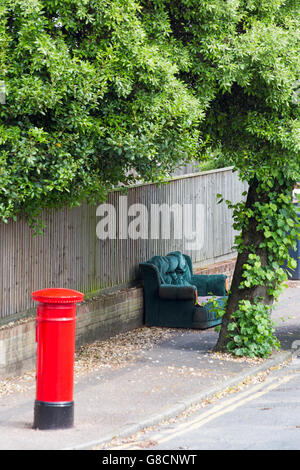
x=96 y=88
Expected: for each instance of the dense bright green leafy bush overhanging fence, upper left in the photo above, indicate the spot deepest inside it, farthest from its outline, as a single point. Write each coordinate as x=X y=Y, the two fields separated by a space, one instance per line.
x=90 y=95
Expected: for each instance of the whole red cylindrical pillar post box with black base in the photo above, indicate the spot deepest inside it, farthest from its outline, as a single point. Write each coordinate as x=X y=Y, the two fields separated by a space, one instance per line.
x=55 y=336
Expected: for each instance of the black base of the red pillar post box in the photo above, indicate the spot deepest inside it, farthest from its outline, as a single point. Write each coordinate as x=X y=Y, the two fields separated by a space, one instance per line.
x=49 y=415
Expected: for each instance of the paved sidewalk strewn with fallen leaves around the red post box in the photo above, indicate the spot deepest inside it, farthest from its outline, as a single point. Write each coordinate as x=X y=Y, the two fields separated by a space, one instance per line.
x=160 y=383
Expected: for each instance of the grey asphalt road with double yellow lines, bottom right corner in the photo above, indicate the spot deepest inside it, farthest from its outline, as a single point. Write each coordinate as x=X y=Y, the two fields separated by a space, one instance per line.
x=262 y=416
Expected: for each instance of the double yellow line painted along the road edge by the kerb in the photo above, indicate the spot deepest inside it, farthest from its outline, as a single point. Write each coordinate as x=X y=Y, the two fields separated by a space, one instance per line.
x=215 y=412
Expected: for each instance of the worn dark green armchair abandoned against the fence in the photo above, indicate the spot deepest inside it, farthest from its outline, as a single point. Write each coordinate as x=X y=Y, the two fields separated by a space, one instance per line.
x=176 y=297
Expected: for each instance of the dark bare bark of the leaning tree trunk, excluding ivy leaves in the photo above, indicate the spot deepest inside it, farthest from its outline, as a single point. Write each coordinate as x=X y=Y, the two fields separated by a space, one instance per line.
x=252 y=238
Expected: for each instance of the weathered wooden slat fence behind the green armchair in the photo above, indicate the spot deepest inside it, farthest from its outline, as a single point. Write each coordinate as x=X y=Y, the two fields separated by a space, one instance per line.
x=70 y=254
